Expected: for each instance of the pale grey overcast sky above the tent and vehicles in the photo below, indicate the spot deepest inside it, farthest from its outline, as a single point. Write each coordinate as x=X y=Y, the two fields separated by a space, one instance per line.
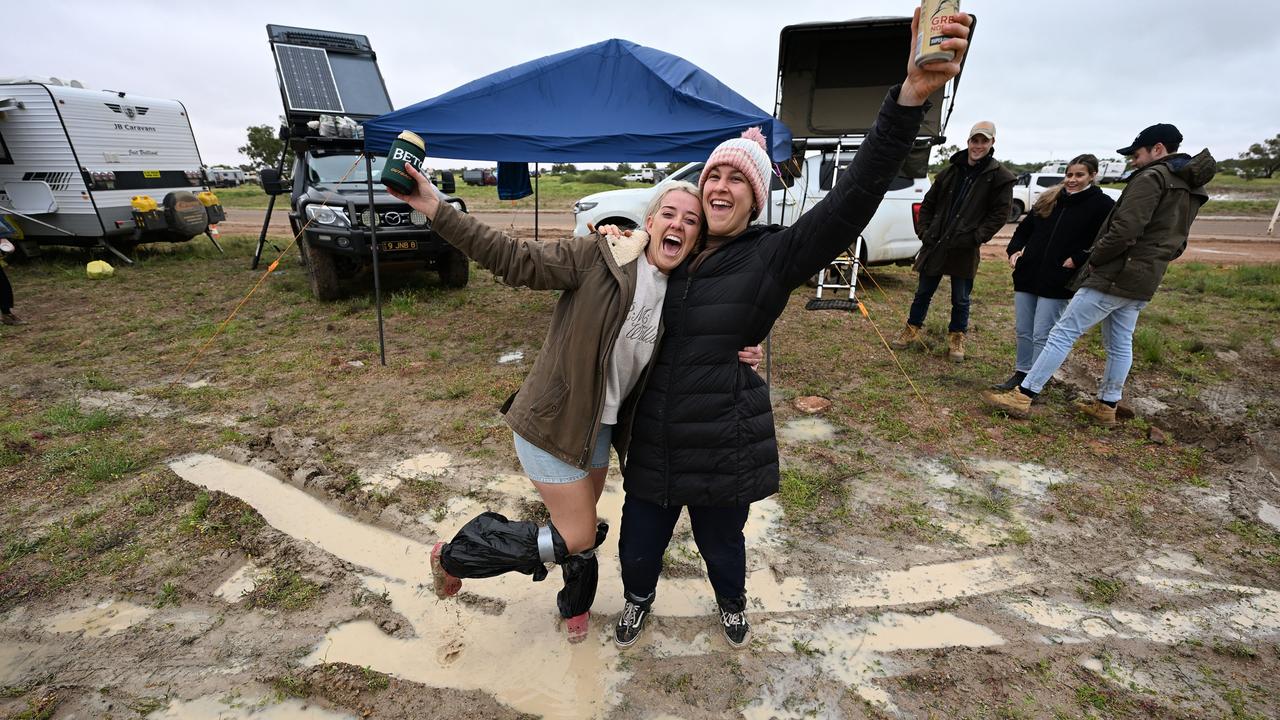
x=1058 y=79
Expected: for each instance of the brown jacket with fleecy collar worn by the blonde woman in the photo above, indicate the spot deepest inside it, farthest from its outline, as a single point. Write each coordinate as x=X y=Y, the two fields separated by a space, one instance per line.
x=560 y=404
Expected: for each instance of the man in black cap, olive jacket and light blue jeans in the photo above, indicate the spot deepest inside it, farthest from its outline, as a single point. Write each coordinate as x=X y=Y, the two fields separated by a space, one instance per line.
x=1146 y=231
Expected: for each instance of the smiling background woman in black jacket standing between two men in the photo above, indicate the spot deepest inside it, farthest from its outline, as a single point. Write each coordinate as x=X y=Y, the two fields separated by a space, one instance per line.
x=1048 y=248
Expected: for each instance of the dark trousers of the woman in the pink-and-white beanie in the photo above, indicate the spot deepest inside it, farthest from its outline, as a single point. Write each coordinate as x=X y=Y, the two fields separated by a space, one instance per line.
x=647 y=530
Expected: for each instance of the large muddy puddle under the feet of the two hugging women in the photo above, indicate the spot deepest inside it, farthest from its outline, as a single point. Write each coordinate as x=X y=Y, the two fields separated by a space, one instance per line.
x=455 y=642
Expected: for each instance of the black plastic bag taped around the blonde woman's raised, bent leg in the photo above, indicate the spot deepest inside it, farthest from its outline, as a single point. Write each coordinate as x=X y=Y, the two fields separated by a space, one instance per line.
x=491 y=545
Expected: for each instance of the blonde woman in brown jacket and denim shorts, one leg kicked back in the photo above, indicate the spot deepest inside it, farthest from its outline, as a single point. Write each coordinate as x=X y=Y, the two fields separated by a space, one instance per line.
x=602 y=335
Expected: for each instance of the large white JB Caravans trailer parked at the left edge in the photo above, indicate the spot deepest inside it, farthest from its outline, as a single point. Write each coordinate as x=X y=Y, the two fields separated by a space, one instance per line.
x=93 y=167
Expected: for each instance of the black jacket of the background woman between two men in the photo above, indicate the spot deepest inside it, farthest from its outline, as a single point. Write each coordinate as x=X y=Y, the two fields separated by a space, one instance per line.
x=1048 y=243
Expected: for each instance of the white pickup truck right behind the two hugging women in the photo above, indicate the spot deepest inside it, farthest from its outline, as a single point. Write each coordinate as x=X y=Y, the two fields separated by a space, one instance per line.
x=889 y=238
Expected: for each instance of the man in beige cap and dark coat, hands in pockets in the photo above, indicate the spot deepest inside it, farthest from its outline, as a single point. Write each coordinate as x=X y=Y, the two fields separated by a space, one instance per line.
x=968 y=203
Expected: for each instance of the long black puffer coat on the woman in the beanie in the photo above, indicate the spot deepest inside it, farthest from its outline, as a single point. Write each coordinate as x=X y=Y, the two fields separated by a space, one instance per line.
x=702 y=432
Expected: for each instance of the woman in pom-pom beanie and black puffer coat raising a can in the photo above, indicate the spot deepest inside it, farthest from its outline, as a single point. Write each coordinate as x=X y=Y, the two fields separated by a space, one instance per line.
x=702 y=432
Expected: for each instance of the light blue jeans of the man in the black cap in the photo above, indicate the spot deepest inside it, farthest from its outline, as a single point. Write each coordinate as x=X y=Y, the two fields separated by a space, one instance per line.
x=1119 y=317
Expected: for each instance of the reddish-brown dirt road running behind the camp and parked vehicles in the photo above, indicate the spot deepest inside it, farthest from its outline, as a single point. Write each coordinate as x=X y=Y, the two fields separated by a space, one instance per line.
x=1214 y=240
